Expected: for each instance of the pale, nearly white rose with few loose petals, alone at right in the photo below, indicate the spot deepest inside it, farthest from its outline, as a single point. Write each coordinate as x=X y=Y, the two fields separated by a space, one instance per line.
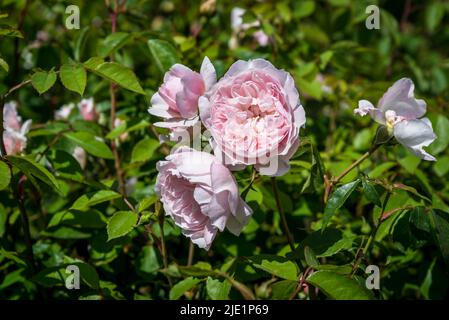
x=402 y=114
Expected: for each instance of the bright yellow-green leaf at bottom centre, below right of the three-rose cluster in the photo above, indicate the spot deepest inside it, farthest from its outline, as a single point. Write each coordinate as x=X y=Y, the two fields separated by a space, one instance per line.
x=275 y=265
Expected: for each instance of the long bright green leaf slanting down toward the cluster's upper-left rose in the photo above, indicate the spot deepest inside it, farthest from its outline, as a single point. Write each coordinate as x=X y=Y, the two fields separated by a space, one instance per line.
x=116 y=73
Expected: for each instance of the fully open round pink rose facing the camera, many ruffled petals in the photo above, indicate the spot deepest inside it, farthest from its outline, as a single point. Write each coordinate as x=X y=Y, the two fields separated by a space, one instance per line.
x=254 y=115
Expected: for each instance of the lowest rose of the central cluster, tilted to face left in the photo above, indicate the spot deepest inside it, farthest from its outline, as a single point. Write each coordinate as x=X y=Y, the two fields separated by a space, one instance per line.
x=201 y=195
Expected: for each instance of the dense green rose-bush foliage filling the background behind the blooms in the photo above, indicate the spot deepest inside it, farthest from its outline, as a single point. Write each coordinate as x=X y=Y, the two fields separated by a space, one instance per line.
x=335 y=61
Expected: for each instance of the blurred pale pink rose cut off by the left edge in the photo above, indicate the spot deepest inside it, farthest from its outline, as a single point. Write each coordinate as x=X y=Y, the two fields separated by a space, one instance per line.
x=14 y=134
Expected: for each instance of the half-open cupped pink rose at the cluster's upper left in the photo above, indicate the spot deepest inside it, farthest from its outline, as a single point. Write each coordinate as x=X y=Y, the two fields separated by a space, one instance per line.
x=177 y=99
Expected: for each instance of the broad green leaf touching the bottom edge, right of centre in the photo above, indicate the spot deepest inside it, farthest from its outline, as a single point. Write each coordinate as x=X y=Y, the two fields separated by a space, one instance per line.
x=339 y=287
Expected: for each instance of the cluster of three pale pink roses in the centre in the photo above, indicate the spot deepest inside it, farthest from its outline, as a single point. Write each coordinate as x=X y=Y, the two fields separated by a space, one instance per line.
x=253 y=116
